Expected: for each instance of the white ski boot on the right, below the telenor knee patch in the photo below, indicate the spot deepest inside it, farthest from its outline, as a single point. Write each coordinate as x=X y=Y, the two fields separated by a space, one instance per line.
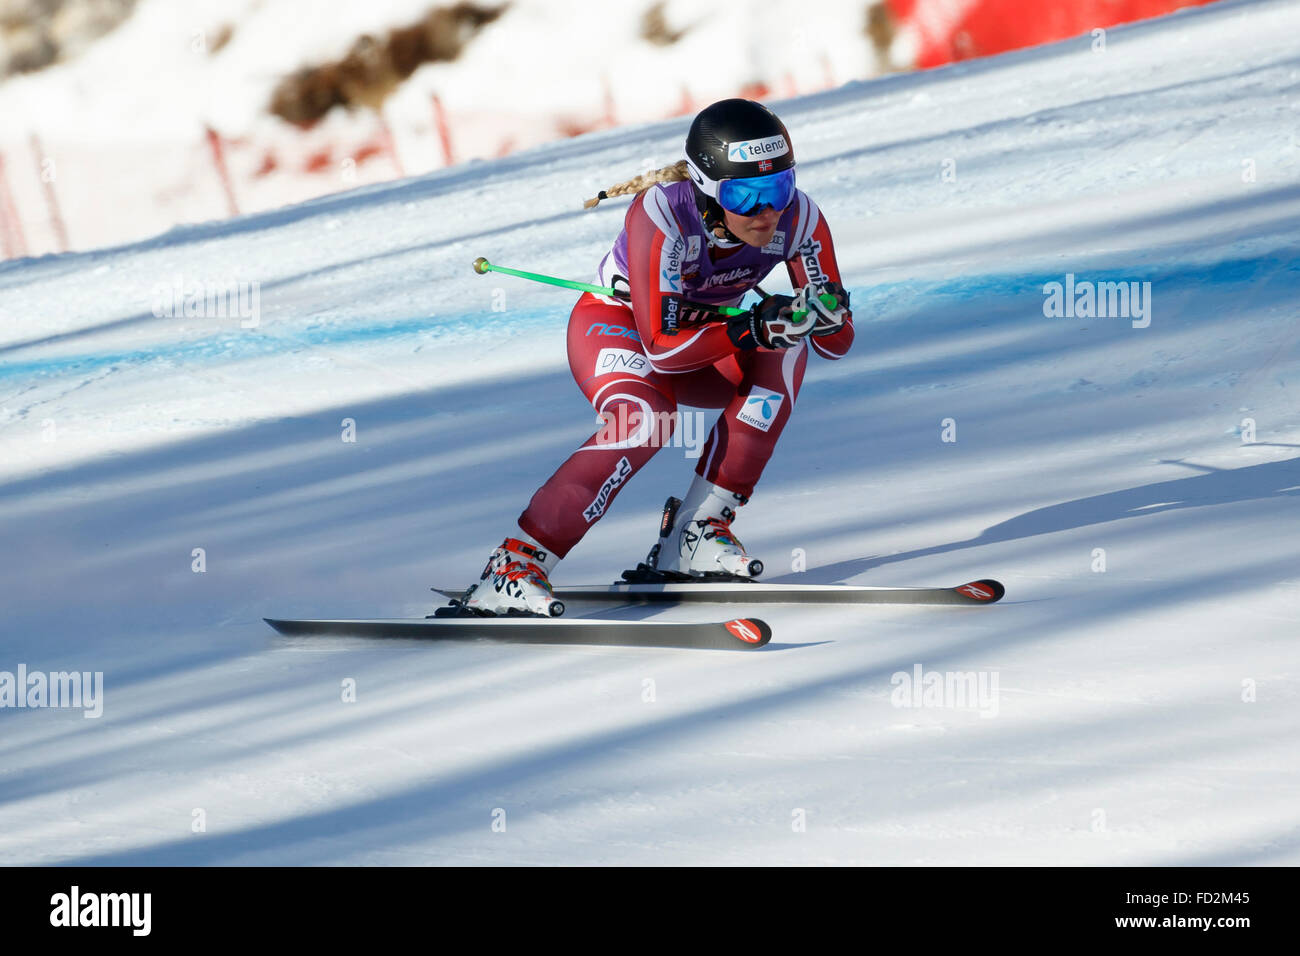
x=696 y=539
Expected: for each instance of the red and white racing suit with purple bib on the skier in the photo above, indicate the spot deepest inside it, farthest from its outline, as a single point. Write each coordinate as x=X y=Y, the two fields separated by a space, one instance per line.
x=636 y=364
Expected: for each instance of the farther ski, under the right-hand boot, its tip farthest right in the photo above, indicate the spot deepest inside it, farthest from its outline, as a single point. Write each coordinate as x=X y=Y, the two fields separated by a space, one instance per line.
x=982 y=592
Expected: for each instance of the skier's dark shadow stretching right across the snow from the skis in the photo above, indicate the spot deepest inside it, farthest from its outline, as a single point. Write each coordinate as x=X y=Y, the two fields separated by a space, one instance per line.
x=1212 y=487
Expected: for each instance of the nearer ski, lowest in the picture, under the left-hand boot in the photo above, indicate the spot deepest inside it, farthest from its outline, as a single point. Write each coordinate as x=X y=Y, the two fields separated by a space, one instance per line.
x=740 y=634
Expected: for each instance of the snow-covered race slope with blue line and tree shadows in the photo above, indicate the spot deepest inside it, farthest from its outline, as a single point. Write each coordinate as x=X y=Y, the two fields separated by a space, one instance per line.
x=1145 y=715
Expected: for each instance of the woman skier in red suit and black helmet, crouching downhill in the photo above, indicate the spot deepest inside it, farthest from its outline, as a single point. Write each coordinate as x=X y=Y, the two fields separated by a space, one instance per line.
x=700 y=235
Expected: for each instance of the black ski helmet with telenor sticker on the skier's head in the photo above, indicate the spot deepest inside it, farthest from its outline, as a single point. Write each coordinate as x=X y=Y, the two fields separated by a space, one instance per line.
x=734 y=140
